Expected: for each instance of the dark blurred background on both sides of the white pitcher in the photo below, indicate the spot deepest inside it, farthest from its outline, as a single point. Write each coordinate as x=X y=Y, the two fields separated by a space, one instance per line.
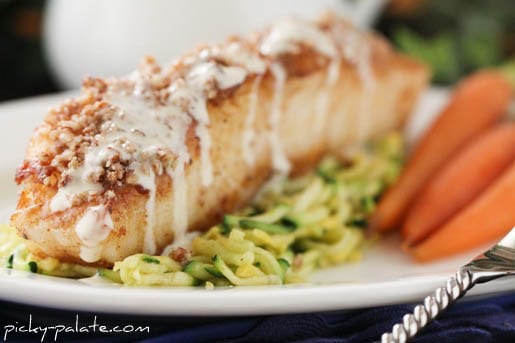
x=454 y=36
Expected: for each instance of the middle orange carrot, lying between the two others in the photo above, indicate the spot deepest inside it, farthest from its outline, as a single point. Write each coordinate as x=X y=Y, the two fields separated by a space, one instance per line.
x=460 y=182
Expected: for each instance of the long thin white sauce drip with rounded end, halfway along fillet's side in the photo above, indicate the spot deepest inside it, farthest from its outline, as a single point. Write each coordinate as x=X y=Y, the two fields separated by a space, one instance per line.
x=280 y=161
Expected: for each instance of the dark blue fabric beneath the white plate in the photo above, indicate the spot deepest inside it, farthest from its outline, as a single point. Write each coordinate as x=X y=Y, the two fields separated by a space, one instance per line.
x=483 y=320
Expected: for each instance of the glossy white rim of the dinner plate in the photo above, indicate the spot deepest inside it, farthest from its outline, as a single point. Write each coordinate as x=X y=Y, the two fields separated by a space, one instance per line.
x=77 y=295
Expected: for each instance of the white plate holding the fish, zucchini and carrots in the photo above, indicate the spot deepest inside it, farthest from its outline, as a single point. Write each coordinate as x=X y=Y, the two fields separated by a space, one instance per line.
x=384 y=276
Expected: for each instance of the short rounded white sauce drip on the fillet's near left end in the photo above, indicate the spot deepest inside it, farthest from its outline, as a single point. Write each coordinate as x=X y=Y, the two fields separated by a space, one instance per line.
x=92 y=229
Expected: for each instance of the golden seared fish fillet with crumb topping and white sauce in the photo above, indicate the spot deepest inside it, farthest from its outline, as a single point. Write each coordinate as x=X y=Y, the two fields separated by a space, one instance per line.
x=134 y=163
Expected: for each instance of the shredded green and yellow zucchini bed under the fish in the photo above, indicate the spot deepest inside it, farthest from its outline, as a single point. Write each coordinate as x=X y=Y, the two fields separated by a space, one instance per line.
x=295 y=226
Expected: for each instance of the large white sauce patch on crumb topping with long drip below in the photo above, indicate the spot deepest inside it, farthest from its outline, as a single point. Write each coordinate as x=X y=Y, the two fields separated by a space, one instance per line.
x=164 y=128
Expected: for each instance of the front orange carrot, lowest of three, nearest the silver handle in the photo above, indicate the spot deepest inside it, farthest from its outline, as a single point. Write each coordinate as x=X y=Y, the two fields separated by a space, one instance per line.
x=488 y=217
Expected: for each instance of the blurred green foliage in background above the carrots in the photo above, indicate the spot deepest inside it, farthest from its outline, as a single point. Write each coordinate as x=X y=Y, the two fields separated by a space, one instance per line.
x=454 y=36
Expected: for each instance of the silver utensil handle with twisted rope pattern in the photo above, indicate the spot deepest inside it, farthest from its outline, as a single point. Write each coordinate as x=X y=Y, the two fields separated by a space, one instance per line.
x=497 y=262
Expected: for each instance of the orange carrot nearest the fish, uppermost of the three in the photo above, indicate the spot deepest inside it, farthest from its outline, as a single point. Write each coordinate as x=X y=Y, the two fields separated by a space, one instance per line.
x=478 y=102
